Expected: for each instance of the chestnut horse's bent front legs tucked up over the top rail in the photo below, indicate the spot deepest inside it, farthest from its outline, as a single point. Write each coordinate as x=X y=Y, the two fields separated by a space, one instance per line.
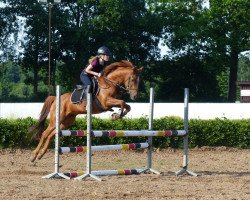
x=125 y=108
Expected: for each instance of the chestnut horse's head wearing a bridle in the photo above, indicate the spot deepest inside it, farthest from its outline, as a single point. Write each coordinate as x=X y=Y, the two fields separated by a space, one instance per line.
x=132 y=82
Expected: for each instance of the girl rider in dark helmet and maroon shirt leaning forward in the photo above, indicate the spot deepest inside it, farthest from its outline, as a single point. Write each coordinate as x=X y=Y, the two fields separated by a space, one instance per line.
x=95 y=67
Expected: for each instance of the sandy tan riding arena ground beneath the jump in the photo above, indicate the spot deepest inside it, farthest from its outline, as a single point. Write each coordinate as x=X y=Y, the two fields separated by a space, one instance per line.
x=224 y=174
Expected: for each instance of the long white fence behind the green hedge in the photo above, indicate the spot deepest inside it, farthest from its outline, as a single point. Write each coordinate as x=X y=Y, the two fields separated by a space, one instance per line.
x=196 y=110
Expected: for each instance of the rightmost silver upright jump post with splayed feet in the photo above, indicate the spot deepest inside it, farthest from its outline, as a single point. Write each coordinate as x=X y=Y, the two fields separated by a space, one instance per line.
x=184 y=169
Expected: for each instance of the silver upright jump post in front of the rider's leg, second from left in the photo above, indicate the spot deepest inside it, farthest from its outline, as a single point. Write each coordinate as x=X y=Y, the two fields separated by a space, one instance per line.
x=89 y=129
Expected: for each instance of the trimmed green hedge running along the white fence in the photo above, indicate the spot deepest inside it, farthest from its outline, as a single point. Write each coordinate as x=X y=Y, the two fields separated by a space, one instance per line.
x=216 y=132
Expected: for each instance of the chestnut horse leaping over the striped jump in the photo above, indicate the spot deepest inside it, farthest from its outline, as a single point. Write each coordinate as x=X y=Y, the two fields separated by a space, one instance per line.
x=117 y=78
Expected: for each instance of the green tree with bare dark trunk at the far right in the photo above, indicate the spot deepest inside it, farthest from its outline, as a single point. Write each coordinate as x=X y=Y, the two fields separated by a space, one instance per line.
x=230 y=32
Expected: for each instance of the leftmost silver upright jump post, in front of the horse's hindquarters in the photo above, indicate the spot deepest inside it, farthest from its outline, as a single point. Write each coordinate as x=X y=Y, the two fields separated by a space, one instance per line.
x=56 y=173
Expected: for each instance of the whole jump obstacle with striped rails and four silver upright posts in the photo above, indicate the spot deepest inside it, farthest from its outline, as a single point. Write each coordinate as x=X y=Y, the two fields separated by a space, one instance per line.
x=150 y=133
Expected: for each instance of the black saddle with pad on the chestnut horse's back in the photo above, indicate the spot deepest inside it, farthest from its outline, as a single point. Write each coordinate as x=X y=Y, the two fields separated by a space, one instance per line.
x=79 y=94
